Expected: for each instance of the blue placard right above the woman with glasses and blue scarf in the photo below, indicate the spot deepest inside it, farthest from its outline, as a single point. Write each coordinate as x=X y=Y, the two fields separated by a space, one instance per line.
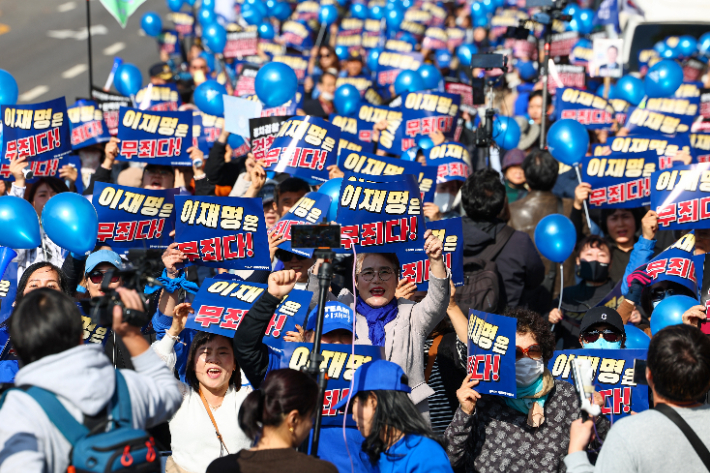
x=381 y=217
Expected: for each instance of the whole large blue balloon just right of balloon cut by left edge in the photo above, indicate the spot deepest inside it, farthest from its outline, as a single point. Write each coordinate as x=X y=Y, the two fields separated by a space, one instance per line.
x=71 y=222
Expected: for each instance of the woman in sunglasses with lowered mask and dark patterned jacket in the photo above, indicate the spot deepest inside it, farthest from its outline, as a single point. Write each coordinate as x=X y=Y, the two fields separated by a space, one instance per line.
x=524 y=433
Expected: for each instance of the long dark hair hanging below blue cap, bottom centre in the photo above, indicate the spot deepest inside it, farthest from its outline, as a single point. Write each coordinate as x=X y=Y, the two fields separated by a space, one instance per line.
x=395 y=412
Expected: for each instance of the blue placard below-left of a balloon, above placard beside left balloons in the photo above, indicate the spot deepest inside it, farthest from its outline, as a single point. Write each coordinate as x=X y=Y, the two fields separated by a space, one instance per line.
x=155 y=137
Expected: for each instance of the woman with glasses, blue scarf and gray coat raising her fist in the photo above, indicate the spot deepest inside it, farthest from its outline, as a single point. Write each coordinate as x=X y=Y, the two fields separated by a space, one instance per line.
x=399 y=325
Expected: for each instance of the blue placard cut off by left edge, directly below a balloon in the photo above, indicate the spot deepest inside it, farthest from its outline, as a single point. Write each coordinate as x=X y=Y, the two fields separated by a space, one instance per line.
x=37 y=132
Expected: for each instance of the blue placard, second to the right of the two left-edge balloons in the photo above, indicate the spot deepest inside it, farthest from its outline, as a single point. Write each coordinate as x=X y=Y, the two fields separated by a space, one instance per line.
x=222 y=232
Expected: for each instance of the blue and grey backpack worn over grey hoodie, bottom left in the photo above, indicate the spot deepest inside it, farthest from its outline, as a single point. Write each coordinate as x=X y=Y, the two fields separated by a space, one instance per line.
x=121 y=449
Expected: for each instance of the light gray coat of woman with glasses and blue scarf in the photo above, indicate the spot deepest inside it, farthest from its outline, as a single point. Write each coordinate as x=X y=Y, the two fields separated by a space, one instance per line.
x=406 y=334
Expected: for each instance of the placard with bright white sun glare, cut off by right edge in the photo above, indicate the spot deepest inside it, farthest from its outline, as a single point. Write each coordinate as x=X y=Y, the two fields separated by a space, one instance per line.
x=681 y=197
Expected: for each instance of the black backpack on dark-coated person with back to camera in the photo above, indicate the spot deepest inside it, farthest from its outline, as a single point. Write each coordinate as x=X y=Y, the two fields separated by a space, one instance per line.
x=483 y=285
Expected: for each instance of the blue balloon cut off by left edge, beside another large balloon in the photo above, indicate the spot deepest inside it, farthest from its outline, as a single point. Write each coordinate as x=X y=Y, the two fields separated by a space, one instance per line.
x=20 y=224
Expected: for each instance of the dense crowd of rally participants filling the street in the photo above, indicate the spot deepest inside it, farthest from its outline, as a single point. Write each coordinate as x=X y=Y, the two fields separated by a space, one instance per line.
x=211 y=403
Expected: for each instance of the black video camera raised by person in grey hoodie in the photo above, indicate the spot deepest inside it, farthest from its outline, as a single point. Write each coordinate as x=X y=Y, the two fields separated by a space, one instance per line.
x=139 y=273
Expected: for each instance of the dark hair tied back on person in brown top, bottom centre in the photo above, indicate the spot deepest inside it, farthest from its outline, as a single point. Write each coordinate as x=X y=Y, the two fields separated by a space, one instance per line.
x=281 y=392
